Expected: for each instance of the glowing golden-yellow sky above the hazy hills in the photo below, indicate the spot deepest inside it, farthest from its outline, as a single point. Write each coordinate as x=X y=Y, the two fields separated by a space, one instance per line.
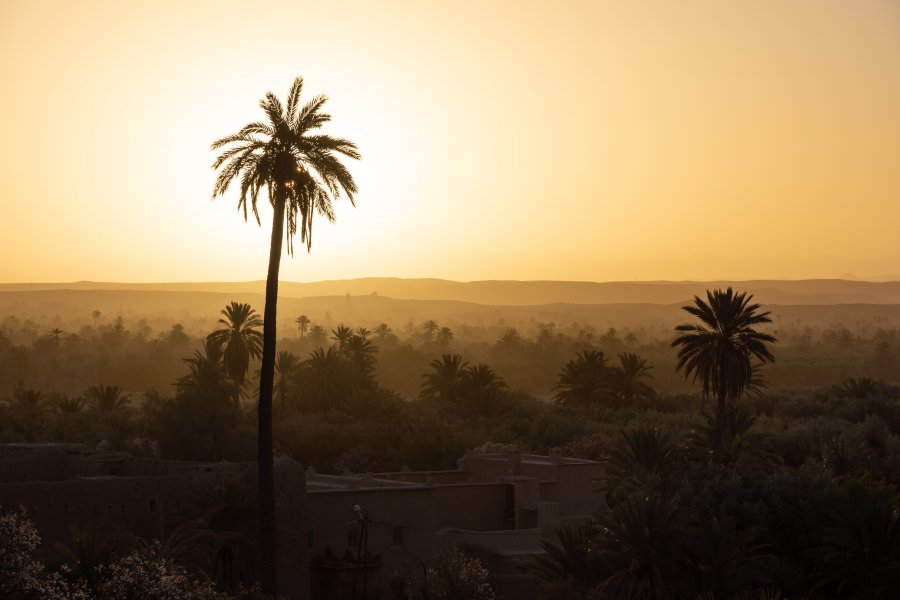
x=566 y=140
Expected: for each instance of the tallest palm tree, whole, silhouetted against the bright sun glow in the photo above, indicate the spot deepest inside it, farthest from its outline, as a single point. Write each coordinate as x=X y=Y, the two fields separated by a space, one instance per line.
x=302 y=173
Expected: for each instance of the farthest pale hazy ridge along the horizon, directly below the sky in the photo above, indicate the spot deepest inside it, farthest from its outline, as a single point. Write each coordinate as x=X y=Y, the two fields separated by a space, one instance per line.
x=526 y=293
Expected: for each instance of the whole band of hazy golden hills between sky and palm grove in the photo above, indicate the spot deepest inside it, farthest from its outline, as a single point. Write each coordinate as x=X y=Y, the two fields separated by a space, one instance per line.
x=370 y=301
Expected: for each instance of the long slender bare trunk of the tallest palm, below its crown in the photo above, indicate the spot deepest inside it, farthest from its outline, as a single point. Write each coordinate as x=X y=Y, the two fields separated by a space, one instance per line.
x=267 y=531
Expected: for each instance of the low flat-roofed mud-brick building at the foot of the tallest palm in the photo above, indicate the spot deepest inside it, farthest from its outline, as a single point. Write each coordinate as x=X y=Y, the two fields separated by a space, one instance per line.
x=336 y=533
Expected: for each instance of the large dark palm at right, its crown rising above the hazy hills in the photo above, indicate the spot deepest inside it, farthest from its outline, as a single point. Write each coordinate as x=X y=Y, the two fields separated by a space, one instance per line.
x=721 y=349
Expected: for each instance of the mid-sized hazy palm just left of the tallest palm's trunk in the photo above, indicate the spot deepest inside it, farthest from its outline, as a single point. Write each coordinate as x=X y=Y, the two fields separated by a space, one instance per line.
x=239 y=340
